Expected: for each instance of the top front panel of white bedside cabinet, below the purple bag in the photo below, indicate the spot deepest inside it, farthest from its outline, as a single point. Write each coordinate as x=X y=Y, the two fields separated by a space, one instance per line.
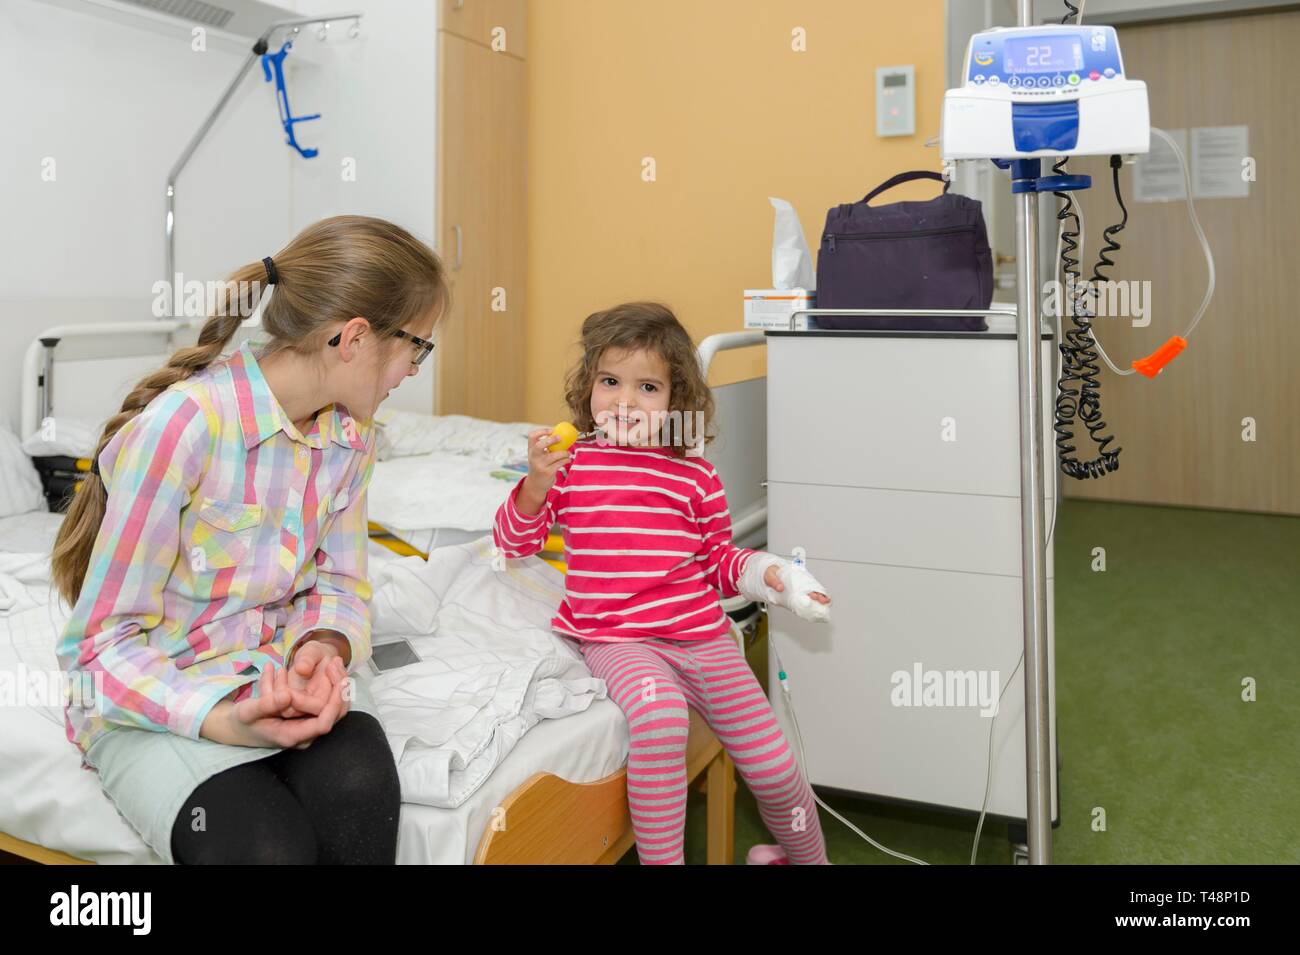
x=870 y=413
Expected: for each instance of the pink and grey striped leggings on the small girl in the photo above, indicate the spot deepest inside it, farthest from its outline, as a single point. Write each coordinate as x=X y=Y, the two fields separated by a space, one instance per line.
x=653 y=681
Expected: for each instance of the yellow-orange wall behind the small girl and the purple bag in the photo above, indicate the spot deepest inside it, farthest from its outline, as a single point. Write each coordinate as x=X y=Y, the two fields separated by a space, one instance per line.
x=733 y=115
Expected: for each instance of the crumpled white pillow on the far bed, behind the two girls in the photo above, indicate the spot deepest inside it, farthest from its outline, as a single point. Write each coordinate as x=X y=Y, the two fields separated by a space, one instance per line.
x=408 y=433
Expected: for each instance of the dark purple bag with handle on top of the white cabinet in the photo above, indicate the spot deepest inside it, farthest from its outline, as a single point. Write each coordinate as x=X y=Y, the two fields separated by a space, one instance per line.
x=905 y=255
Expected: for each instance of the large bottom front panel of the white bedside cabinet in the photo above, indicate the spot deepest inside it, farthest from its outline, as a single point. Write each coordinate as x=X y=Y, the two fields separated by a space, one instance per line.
x=886 y=622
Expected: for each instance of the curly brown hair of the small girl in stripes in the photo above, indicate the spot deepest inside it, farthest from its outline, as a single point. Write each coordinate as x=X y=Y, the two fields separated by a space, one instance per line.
x=651 y=327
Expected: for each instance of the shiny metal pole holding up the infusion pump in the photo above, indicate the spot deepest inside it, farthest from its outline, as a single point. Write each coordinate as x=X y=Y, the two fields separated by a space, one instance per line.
x=1033 y=528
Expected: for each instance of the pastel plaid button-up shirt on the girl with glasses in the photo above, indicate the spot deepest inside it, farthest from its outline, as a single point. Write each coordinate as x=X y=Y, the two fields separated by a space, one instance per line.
x=228 y=537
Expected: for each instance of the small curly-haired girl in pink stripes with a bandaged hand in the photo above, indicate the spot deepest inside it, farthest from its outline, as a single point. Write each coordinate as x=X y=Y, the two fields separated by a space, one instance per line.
x=649 y=550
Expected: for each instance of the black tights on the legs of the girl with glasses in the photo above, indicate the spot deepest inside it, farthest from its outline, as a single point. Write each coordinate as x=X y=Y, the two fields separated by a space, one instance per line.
x=336 y=802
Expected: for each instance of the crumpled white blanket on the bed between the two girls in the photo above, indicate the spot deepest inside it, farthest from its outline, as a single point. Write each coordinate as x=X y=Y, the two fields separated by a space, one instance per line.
x=491 y=667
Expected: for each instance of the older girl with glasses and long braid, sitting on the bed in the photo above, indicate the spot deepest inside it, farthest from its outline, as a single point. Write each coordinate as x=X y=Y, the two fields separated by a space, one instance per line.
x=216 y=563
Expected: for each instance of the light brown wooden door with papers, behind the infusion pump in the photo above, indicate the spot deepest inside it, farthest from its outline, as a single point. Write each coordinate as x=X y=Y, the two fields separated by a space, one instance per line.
x=1182 y=432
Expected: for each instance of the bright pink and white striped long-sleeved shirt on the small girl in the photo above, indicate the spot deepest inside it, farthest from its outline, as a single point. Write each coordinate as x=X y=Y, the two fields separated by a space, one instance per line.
x=648 y=544
